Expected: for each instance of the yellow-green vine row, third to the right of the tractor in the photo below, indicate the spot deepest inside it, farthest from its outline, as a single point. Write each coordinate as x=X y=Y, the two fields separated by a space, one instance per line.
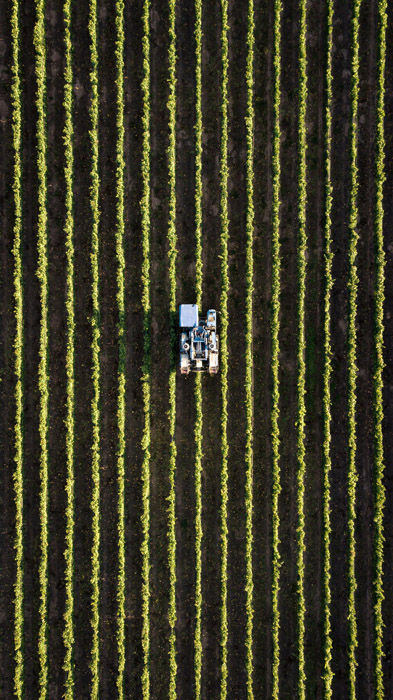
x=275 y=362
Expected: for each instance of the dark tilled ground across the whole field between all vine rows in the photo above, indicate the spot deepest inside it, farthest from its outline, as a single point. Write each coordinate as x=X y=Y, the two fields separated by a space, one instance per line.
x=160 y=349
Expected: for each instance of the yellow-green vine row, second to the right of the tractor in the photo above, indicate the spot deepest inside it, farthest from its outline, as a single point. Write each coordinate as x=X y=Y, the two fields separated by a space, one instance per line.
x=248 y=345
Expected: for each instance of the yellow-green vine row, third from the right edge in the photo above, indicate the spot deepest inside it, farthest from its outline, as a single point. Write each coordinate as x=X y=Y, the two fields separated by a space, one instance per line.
x=327 y=366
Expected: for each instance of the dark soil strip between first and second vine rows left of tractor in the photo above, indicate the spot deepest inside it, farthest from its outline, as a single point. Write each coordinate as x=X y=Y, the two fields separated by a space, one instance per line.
x=160 y=359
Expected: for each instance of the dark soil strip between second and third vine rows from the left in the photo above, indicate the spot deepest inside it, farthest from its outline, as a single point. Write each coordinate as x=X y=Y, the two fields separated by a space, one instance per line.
x=57 y=346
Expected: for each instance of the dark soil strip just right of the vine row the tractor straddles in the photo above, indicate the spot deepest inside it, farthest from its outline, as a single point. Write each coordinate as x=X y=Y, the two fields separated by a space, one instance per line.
x=211 y=407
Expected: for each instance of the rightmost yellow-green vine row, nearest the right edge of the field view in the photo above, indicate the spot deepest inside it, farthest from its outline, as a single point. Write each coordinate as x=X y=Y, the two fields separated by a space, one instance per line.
x=379 y=499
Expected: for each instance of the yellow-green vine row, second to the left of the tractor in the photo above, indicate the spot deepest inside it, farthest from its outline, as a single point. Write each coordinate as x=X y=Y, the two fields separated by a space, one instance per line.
x=145 y=212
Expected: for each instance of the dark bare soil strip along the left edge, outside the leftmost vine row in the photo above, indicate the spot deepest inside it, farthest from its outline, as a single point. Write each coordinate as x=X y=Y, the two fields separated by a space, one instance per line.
x=7 y=364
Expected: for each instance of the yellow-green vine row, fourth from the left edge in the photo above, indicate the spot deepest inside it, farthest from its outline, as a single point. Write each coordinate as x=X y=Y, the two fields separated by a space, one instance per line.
x=96 y=334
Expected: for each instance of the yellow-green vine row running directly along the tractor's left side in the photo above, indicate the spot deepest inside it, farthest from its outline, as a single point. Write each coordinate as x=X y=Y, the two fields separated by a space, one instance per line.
x=172 y=242
